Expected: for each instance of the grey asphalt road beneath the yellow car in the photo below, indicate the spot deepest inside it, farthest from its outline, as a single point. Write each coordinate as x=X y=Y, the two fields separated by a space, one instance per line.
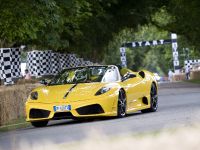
x=179 y=105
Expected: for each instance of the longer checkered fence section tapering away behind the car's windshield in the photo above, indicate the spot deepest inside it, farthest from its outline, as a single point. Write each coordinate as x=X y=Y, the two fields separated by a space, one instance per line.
x=41 y=63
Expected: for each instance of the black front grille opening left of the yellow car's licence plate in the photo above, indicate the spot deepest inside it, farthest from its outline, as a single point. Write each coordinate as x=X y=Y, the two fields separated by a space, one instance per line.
x=39 y=113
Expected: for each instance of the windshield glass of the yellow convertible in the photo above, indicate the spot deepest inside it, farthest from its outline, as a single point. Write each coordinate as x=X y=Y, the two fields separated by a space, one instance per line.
x=80 y=75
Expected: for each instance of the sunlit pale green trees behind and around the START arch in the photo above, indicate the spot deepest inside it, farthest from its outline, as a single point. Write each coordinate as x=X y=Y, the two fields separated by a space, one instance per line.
x=153 y=58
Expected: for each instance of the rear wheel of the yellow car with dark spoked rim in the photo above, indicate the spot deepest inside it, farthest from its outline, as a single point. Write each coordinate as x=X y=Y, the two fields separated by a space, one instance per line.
x=154 y=100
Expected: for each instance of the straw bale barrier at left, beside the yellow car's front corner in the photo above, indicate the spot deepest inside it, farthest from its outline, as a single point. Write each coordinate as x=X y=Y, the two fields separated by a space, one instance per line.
x=12 y=100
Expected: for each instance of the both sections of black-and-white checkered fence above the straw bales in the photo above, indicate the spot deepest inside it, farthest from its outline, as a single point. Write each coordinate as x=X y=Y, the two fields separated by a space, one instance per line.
x=39 y=63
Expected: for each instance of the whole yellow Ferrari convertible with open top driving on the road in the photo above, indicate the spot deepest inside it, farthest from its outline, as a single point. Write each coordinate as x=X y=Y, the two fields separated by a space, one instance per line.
x=92 y=91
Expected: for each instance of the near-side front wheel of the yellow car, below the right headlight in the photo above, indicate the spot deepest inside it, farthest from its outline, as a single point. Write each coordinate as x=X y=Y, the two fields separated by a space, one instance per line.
x=121 y=105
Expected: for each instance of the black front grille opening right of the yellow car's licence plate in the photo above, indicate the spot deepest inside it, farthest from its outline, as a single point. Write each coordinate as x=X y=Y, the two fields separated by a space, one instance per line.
x=90 y=109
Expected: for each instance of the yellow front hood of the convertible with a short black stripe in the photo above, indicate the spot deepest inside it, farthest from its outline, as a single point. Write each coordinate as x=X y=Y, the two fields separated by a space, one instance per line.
x=57 y=93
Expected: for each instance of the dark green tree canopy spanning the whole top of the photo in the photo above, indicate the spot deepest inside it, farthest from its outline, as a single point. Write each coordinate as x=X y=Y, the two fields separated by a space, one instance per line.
x=87 y=27
